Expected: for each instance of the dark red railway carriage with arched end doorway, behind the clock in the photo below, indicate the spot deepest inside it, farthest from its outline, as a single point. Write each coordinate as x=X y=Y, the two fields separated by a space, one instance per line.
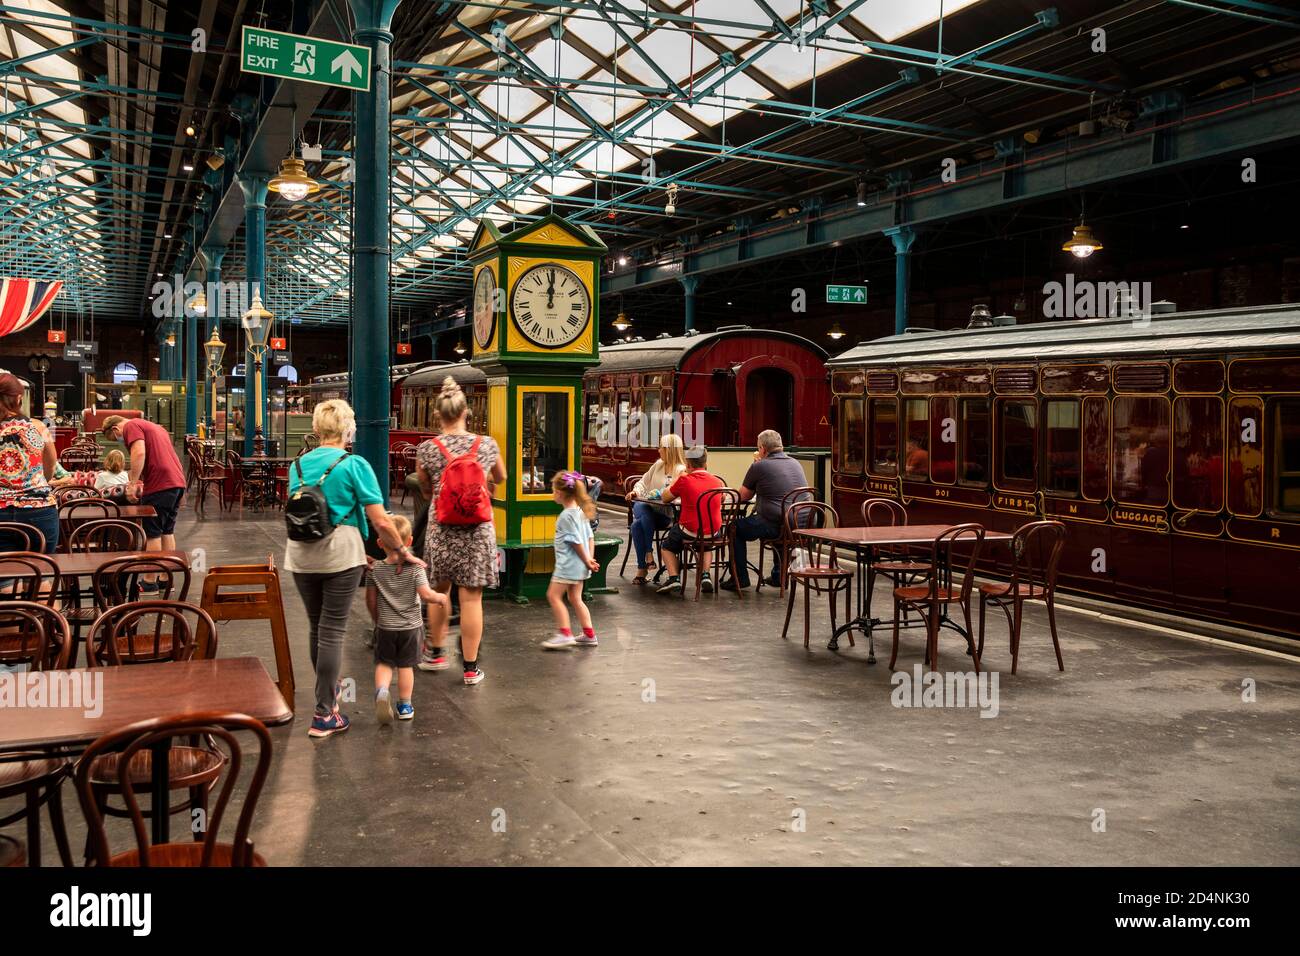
x=716 y=388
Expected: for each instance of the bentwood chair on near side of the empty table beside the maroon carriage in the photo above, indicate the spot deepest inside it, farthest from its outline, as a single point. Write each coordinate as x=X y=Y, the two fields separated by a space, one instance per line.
x=939 y=591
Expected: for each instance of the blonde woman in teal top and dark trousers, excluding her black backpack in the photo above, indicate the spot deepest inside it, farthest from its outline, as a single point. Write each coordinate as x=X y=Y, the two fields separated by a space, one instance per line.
x=328 y=573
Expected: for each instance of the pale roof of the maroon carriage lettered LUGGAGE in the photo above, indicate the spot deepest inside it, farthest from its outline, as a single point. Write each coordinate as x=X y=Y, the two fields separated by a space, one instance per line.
x=1176 y=334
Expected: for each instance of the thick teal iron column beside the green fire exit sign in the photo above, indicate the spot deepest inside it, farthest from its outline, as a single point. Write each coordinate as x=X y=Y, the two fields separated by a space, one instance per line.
x=370 y=351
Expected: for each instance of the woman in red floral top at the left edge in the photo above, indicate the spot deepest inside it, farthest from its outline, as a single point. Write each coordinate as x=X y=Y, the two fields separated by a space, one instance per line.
x=28 y=460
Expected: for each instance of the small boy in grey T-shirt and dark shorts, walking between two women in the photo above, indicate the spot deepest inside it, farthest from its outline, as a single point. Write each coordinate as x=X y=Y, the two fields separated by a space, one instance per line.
x=396 y=600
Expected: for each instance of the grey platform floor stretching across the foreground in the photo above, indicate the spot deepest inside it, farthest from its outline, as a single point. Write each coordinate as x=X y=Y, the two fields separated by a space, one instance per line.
x=755 y=751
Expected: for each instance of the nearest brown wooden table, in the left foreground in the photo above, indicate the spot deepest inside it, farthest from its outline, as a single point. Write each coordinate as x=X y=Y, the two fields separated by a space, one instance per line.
x=142 y=693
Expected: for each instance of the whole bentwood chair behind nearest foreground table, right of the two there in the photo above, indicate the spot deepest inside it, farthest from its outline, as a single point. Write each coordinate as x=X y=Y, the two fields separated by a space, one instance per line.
x=149 y=633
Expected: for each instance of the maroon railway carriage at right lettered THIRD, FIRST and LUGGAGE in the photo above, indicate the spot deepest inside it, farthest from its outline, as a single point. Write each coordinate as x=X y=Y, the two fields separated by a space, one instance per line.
x=1169 y=449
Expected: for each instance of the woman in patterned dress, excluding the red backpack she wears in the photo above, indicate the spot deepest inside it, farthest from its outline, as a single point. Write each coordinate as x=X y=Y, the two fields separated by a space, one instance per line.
x=462 y=555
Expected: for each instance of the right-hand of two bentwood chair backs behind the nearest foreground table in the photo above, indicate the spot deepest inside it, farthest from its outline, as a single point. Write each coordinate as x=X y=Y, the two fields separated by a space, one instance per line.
x=150 y=633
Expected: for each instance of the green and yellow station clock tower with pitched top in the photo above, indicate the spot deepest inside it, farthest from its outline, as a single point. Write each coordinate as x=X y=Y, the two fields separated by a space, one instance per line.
x=536 y=330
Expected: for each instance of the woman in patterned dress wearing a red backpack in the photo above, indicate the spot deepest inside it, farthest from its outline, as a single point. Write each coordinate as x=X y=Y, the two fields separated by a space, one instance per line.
x=458 y=471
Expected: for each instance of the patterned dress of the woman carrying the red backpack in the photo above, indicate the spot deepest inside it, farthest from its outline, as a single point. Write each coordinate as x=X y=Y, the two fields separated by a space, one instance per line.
x=462 y=555
